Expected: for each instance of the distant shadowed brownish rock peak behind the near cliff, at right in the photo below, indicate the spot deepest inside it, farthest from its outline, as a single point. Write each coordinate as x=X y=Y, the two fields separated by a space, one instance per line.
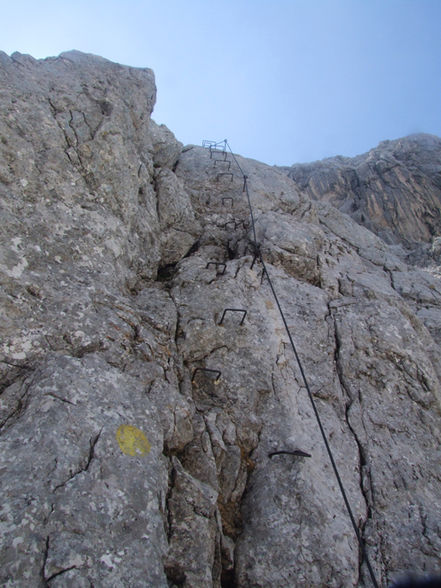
x=394 y=190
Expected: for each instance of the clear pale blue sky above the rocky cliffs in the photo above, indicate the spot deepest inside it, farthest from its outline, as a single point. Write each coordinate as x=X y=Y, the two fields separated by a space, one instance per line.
x=284 y=80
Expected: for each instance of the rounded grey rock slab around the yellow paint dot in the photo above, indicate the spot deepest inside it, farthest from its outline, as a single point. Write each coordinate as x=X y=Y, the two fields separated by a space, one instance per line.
x=73 y=499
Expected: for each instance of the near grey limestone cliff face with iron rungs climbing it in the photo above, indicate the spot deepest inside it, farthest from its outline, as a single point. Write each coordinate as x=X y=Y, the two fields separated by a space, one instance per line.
x=137 y=418
